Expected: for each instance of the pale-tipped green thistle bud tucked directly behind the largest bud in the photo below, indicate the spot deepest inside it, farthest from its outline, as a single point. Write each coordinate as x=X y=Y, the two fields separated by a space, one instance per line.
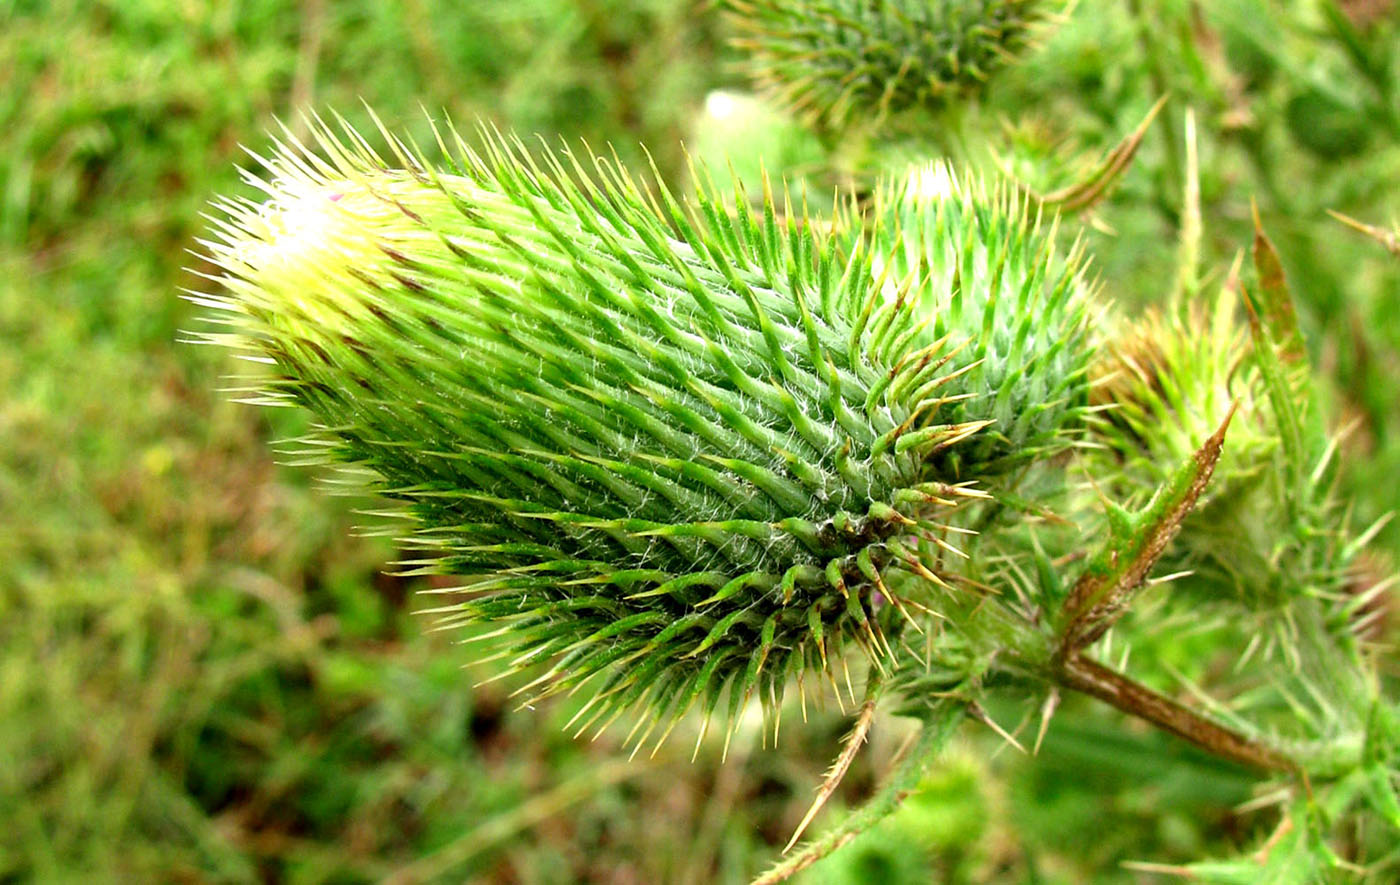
x=985 y=270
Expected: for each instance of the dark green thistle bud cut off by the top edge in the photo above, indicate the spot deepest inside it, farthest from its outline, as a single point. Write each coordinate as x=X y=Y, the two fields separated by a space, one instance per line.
x=832 y=61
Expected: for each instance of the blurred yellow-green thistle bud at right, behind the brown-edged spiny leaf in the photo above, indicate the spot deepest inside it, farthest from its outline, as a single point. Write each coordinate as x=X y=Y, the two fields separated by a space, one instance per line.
x=1163 y=384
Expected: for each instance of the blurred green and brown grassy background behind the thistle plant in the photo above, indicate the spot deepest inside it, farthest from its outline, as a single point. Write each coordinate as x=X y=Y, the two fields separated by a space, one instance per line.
x=206 y=674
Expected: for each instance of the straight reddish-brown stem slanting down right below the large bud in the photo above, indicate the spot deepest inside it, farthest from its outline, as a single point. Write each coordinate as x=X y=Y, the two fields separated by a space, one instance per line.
x=1118 y=691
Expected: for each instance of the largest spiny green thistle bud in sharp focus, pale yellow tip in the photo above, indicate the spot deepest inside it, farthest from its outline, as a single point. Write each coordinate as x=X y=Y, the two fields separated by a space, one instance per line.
x=675 y=453
